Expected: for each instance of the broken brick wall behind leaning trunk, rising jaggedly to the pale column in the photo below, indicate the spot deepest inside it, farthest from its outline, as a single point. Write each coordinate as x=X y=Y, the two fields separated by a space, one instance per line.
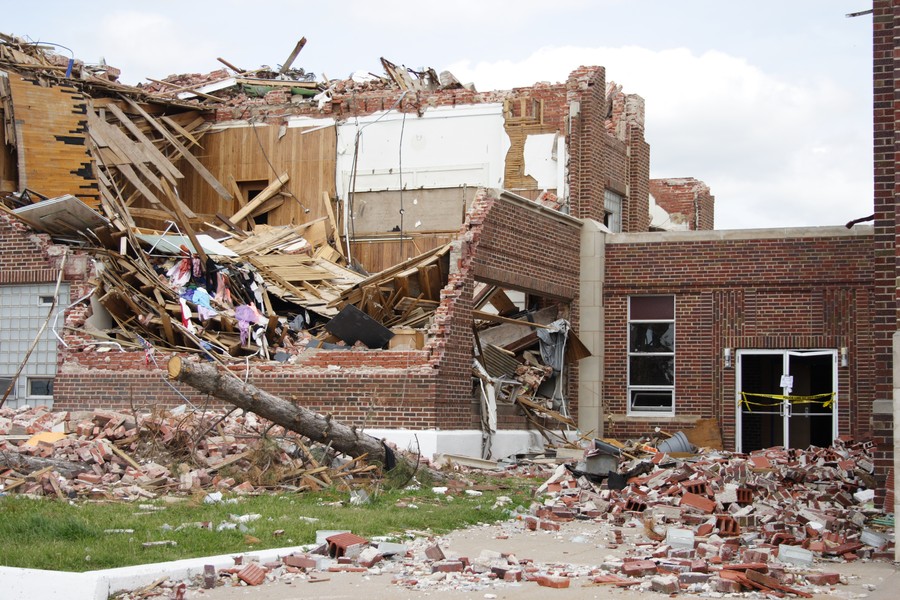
x=422 y=389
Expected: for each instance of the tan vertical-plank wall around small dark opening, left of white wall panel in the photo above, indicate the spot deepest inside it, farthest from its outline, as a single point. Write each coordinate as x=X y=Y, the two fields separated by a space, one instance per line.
x=309 y=161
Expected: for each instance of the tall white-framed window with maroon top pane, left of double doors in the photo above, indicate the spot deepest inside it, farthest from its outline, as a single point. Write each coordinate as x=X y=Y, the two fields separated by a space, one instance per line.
x=651 y=355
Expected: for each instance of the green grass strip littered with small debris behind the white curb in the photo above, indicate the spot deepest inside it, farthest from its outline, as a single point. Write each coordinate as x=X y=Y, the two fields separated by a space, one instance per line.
x=53 y=534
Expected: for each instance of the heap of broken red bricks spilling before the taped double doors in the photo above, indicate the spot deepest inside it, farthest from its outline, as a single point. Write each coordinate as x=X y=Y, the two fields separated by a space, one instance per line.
x=776 y=522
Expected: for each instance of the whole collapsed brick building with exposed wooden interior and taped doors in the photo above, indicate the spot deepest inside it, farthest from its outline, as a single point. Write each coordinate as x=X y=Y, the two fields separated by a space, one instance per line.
x=484 y=217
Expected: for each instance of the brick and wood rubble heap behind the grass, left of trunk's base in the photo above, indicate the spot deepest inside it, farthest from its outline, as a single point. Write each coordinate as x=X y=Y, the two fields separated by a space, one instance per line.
x=107 y=454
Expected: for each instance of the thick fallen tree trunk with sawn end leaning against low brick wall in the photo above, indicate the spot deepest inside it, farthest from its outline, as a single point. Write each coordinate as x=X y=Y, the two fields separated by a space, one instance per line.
x=317 y=427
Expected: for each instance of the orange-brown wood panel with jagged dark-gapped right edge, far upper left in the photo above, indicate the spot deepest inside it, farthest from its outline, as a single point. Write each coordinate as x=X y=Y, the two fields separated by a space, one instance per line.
x=52 y=125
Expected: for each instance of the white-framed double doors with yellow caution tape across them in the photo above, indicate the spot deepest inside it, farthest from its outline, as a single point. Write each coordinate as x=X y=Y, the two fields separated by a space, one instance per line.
x=786 y=398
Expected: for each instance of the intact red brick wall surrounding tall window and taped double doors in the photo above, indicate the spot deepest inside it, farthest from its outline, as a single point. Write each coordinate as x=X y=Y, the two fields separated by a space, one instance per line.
x=778 y=293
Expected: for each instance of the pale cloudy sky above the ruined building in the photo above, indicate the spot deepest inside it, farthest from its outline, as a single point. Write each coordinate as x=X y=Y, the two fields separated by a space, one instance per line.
x=768 y=102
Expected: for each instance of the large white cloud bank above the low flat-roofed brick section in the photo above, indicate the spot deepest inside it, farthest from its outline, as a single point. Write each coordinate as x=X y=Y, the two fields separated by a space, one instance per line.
x=775 y=152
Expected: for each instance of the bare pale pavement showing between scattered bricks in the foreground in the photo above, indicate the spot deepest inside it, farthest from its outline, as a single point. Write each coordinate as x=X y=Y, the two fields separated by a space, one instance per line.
x=577 y=546
